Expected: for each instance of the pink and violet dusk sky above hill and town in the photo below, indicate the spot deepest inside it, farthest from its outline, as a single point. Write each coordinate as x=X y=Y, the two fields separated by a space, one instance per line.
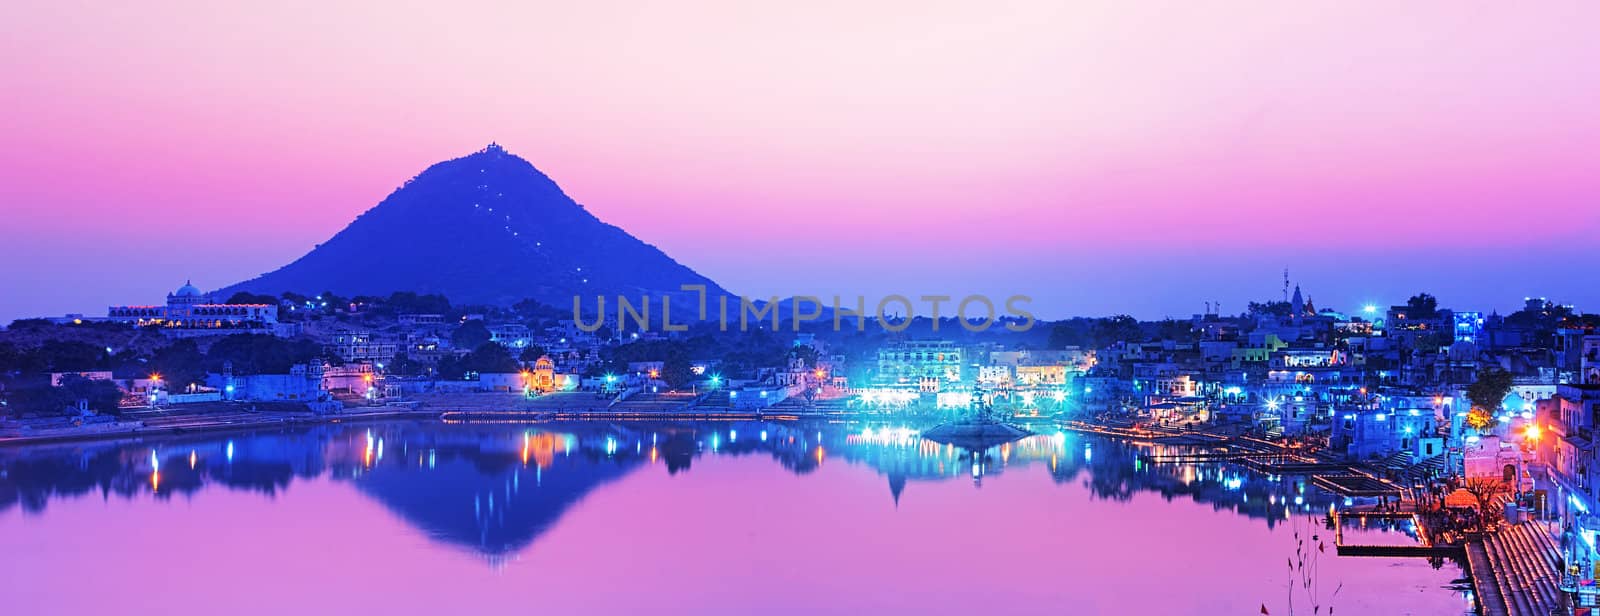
x=1180 y=154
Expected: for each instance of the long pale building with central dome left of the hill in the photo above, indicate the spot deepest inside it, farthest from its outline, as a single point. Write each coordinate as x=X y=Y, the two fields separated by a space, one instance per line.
x=191 y=313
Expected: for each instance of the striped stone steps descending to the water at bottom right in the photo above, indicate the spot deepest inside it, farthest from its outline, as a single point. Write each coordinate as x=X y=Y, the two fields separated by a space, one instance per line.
x=1518 y=572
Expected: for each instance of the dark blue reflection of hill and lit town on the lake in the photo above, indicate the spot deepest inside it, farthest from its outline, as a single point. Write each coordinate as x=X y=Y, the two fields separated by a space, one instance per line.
x=495 y=489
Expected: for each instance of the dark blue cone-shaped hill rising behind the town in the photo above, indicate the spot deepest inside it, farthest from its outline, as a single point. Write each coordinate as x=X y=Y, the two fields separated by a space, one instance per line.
x=481 y=230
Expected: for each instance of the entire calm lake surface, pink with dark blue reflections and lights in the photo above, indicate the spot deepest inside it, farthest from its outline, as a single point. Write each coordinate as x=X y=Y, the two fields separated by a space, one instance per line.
x=636 y=518
